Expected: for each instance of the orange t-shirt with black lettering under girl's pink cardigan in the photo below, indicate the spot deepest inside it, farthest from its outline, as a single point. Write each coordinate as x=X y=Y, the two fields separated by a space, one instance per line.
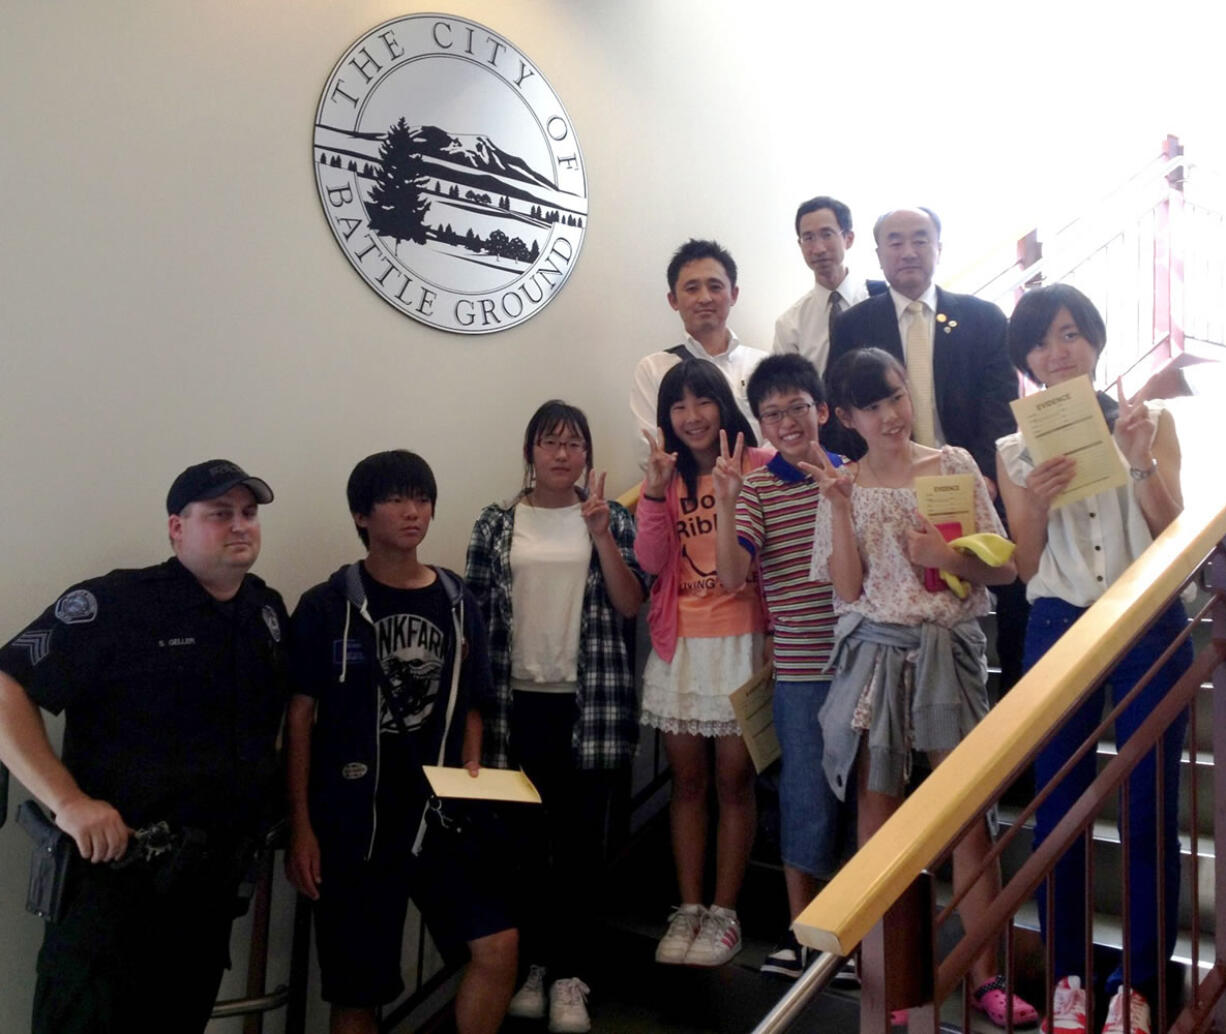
x=706 y=608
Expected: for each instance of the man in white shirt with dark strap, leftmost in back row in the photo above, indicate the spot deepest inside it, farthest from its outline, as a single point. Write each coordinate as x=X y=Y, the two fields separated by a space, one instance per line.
x=702 y=290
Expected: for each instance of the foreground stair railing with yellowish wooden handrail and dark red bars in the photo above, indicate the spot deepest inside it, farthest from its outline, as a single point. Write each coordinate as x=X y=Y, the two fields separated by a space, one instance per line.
x=883 y=902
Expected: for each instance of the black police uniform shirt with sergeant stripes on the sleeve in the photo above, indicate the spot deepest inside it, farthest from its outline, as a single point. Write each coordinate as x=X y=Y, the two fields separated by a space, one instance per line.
x=172 y=699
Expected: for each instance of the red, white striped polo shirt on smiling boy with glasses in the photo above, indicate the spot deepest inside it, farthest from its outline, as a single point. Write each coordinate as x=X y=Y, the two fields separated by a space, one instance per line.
x=775 y=516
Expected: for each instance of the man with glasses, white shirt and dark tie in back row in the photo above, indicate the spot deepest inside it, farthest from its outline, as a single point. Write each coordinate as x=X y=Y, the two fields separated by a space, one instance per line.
x=824 y=235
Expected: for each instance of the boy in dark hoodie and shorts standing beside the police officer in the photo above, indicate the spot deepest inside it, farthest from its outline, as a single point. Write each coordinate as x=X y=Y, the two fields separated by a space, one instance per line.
x=392 y=673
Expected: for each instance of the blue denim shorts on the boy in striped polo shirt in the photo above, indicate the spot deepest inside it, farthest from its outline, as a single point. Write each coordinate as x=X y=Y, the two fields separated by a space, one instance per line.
x=816 y=824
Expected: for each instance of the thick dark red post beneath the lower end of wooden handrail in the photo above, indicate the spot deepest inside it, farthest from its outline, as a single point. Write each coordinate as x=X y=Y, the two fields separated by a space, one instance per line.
x=898 y=960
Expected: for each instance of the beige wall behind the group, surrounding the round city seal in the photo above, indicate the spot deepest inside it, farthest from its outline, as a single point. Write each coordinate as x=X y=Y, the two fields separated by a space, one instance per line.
x=170 y=290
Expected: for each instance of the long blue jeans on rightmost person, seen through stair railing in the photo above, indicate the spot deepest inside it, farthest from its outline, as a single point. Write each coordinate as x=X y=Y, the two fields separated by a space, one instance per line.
x=1049 y=620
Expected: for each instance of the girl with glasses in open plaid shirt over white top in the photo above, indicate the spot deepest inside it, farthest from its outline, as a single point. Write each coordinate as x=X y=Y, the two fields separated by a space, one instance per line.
x=556 y=578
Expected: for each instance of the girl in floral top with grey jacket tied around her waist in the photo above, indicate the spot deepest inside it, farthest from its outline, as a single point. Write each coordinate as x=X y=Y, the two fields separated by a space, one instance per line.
x=910 y=664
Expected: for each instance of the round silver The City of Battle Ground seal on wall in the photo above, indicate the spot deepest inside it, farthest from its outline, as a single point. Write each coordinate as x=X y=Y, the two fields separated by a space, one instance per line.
x=451 y=174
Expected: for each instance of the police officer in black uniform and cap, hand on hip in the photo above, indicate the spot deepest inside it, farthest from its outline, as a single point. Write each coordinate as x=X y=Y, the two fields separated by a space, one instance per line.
x=173 y=680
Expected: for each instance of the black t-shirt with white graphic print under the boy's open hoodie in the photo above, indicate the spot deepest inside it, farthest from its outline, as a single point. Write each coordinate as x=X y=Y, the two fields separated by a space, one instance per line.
x=413 y=642
